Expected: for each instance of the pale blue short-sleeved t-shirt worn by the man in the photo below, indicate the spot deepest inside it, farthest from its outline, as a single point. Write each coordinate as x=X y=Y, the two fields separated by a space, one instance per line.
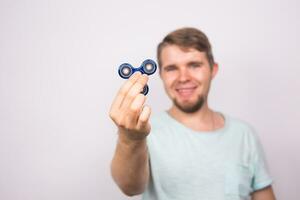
x=226 y=164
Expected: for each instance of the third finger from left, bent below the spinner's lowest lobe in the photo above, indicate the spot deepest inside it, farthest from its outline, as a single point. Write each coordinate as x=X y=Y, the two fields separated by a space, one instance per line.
x=134 y=111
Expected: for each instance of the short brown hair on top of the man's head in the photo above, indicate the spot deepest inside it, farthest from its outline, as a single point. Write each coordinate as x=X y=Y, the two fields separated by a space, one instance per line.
x=187 y=38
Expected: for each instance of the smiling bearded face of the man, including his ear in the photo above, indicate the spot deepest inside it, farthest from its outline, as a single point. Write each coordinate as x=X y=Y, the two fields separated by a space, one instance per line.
x=186 y=75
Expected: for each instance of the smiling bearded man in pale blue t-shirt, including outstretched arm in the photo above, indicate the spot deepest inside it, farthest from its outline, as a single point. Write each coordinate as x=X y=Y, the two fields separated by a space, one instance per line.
x=189 y=151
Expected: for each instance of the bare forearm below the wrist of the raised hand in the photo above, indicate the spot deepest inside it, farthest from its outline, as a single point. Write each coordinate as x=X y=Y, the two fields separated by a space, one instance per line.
x=130 y=166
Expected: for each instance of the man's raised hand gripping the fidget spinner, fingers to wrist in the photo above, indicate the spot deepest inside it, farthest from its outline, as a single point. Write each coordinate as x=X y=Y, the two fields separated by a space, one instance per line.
x=128 y=111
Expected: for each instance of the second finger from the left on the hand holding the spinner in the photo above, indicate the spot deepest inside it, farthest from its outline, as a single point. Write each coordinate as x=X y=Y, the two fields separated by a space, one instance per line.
x=134 y=91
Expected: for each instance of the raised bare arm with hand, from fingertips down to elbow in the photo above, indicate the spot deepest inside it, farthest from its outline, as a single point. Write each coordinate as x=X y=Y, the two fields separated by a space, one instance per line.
x=129 y=166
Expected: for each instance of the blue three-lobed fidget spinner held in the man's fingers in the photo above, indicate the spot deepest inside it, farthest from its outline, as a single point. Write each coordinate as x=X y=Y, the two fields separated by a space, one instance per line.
x=148 y=67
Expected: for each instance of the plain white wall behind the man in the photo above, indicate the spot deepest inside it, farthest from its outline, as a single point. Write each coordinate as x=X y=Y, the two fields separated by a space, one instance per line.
x=58 y=76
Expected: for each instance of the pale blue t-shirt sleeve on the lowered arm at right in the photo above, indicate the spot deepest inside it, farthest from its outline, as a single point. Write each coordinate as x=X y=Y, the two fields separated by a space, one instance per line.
x=261 y=175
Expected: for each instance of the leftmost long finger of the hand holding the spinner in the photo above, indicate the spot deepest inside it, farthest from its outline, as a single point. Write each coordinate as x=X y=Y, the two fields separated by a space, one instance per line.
x=123 y=90
